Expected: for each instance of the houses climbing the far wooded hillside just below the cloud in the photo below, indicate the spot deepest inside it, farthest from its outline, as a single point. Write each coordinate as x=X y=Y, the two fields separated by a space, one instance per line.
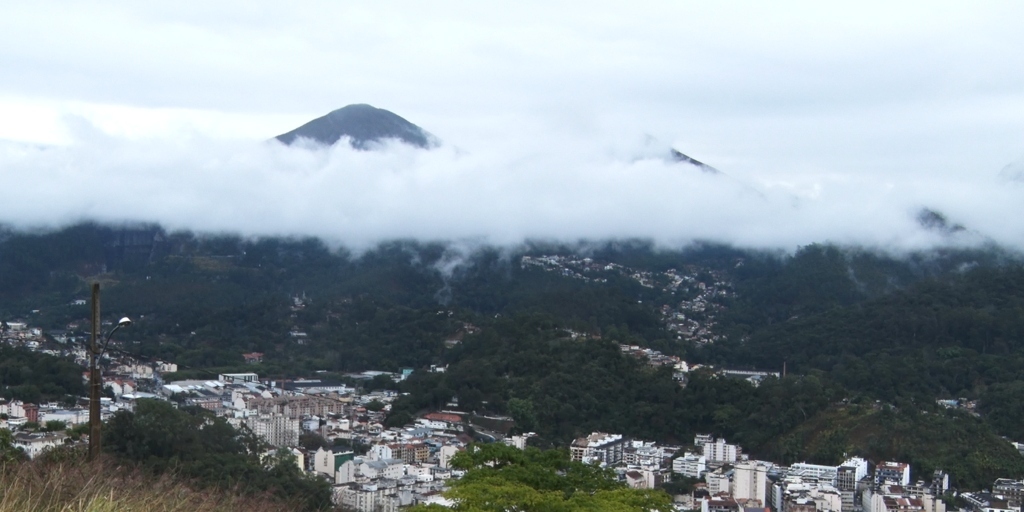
x=702 y=291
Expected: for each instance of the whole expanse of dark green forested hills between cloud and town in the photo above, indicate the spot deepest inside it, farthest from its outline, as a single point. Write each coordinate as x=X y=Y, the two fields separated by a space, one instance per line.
x=870 y=340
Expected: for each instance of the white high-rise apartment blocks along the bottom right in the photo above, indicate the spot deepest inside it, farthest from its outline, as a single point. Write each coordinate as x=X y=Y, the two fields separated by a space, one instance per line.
x=734 y=483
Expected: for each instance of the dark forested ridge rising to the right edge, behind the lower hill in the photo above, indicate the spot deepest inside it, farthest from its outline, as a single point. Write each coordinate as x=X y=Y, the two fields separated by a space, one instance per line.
x=946 y=338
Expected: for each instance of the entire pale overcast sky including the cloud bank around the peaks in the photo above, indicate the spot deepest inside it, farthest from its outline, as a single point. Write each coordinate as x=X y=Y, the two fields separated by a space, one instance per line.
x=830 y=123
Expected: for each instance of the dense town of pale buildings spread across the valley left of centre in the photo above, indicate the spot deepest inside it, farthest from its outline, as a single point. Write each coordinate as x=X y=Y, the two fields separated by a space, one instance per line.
x=401 y=467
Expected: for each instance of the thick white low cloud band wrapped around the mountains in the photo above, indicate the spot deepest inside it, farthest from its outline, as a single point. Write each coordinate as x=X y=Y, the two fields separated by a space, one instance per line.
x=503 y=194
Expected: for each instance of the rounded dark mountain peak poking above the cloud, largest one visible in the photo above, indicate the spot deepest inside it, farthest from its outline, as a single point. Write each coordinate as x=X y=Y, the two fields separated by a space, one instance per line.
x=364 y=125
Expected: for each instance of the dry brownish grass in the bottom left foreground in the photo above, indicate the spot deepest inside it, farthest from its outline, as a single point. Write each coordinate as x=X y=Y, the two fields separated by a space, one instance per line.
x=67 y=484
